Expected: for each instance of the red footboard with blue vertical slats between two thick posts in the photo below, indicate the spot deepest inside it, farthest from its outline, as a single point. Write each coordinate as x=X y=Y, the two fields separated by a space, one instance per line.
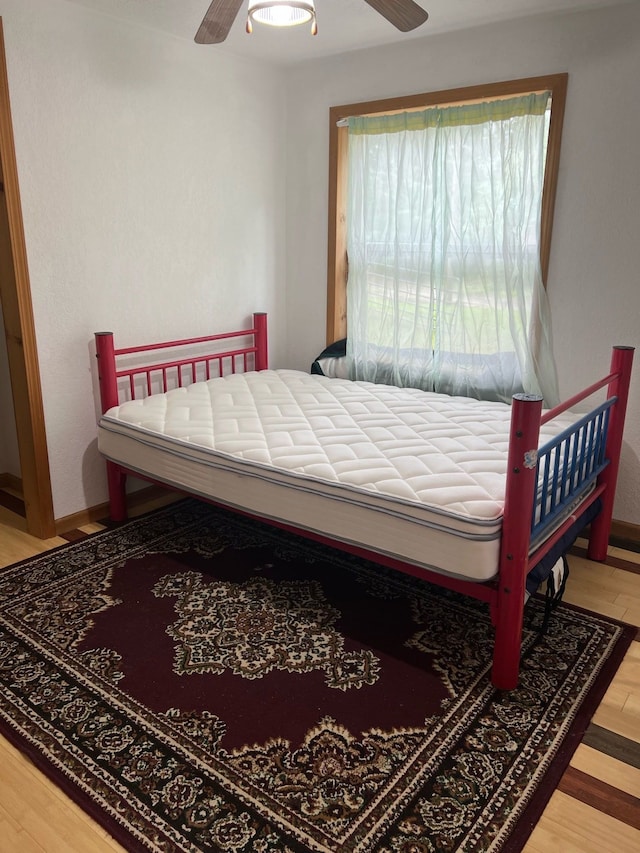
x=548 y=489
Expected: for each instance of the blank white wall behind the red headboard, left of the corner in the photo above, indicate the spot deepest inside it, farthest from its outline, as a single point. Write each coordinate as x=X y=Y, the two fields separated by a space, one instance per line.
x=151 y=175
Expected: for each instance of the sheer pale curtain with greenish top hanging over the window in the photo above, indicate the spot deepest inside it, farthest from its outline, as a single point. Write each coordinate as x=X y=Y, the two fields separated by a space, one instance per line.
x=445 y=289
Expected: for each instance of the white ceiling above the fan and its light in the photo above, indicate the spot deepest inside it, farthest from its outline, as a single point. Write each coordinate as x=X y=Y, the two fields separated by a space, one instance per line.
x=343 y=25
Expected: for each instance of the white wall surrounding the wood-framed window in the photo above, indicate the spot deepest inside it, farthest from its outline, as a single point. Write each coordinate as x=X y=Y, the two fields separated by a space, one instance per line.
x=594 y=278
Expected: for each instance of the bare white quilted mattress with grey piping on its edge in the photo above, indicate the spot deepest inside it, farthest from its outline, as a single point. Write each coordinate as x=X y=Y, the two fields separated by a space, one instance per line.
x=409 y=474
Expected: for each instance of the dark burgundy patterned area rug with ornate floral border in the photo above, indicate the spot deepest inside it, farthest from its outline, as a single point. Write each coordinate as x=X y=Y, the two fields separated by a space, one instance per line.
x=198 y=681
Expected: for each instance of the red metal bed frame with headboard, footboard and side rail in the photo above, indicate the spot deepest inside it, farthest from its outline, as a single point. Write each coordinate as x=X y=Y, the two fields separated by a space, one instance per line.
x=590 y=453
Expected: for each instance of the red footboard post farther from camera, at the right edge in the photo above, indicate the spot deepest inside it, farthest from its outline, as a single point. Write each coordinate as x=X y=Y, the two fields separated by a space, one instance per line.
x=621 y=361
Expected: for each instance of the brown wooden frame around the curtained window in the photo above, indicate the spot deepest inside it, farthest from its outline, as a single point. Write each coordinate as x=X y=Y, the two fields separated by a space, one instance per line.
x=338 y=153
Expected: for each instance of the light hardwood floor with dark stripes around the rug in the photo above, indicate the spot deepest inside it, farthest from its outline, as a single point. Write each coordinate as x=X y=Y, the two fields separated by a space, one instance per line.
x=595 y=808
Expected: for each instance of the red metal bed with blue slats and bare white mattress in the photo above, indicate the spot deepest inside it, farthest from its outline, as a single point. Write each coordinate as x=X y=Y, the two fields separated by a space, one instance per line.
x=466 y=494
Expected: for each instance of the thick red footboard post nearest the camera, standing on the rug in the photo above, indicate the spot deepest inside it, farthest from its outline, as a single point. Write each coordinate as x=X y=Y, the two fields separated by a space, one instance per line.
x=526 y=410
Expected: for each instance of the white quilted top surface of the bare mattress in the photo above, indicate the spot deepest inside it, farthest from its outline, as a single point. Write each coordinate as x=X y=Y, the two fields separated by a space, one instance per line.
x=431 y=449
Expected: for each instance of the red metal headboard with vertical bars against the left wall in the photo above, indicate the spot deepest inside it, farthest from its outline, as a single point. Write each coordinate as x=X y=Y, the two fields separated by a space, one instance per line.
x=159 y=376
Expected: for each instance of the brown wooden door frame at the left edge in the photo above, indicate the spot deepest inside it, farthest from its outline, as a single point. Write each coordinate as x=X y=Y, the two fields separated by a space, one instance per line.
x=15 y=297
